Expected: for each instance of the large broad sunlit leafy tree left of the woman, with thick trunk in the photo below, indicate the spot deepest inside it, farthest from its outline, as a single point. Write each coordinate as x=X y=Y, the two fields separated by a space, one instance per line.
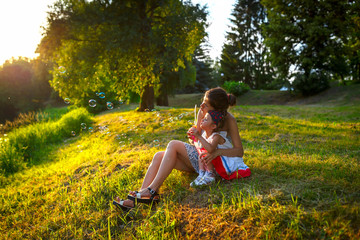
x=119 y=46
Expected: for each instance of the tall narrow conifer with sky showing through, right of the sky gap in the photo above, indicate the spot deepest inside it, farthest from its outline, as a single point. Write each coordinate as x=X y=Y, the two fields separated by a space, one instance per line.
x=244 y=56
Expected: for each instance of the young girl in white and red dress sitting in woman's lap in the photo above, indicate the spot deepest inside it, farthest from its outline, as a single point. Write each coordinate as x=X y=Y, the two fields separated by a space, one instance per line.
x=211 y=139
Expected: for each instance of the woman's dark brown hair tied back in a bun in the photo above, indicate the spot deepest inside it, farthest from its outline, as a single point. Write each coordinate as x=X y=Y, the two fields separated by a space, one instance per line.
x=220 y=99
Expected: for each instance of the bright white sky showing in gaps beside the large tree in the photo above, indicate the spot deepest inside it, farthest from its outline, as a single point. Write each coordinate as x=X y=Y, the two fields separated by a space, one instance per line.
x=21 y=21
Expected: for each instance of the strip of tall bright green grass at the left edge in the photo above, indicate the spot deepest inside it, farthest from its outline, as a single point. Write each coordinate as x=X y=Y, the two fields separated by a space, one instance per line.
x=26 y=144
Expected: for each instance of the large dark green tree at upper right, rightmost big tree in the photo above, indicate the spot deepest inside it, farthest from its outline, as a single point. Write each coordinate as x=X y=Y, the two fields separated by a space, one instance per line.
x=306 y=40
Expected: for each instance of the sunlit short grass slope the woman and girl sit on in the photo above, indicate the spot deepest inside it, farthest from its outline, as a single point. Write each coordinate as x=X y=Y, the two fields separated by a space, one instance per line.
x=305 y=180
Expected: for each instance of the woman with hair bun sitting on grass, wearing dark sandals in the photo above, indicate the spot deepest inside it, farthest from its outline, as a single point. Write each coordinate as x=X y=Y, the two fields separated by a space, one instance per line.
x=183 y=156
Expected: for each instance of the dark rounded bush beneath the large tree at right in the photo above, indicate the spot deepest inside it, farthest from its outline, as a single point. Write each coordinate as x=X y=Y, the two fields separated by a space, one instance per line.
x=311 y=84
